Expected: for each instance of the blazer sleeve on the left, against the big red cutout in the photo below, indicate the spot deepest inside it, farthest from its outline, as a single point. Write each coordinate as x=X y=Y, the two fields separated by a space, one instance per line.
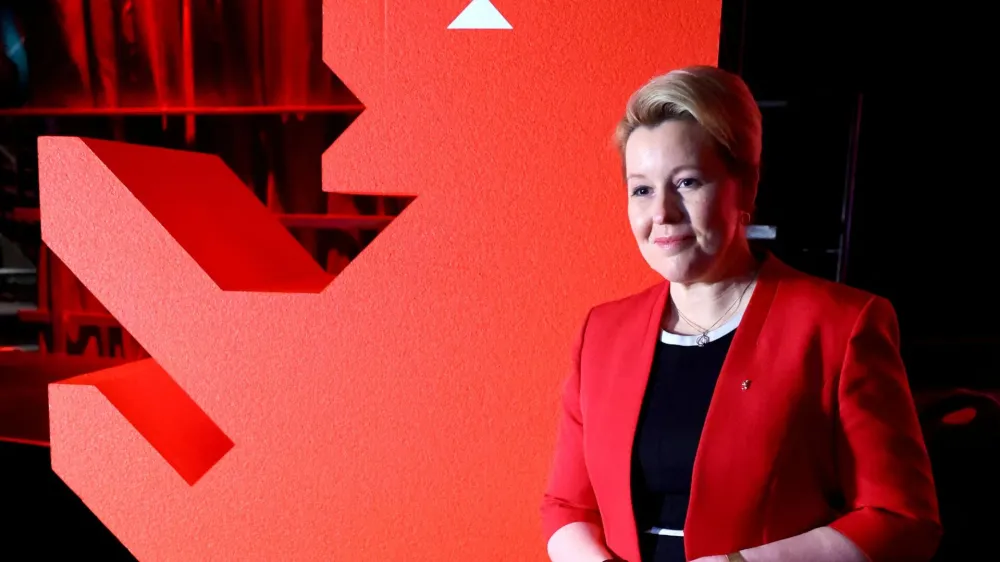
x=569 y=496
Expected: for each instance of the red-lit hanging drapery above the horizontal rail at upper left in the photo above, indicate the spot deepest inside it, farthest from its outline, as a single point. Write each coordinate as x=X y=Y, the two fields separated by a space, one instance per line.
x=245 y=52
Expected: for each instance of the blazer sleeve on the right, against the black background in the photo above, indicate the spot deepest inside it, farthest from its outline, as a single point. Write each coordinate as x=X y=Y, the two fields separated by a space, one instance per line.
x=884 y=469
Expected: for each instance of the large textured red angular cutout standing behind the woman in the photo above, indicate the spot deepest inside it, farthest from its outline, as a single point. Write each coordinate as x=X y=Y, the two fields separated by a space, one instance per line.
x=406 y=411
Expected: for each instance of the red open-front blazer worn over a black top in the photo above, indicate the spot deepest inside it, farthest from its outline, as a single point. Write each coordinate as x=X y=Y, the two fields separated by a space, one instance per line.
x=825 y=434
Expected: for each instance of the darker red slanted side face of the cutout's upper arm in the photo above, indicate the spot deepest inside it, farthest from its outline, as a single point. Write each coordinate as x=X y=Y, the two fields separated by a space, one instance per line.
x=234 y=238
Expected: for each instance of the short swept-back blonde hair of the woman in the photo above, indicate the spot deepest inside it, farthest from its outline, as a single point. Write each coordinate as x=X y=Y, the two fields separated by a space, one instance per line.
x=718 y=100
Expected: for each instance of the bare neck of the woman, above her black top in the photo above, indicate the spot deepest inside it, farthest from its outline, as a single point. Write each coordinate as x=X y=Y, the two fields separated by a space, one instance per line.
x=712 y=300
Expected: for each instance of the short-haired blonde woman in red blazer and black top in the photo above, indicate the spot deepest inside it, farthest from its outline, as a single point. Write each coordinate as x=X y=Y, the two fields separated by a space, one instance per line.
x=740 y=410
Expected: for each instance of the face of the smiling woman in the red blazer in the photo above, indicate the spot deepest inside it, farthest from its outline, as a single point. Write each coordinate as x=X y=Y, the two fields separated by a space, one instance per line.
x=684 y=206
